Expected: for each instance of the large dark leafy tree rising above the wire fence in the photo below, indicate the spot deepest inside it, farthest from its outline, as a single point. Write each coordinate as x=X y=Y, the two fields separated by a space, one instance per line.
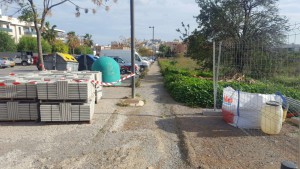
x=234 y=21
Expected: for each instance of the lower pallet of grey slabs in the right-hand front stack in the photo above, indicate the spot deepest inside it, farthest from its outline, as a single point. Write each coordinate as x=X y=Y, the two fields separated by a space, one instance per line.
x=67 y=112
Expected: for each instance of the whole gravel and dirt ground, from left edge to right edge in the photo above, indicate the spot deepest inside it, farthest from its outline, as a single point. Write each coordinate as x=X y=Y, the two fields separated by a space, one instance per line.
x=162 y=134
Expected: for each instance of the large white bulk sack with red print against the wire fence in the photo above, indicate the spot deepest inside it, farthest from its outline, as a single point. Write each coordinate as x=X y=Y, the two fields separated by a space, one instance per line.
x=242 y=109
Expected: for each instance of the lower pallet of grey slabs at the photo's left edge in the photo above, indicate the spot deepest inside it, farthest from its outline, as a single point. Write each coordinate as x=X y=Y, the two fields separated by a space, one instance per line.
x=18 y=111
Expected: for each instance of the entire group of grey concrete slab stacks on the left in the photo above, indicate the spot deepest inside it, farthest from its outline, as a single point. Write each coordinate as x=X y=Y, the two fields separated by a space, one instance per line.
x=59 y=95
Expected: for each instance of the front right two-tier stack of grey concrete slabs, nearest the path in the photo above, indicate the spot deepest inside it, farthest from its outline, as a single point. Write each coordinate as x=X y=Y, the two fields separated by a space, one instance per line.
x=58 y=100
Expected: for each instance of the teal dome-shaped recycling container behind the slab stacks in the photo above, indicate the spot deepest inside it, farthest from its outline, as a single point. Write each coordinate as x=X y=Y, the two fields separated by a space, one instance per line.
x=109 y=67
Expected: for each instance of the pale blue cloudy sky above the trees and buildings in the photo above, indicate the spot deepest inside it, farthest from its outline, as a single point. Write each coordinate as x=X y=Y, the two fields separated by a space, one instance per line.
x=165 y=15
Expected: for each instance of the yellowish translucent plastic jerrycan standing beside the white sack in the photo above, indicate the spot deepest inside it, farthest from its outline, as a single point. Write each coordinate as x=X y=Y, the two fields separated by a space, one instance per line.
x=271 y=118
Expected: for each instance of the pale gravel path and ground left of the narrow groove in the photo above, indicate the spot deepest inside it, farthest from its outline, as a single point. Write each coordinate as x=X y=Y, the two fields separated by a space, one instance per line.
x=119 y=137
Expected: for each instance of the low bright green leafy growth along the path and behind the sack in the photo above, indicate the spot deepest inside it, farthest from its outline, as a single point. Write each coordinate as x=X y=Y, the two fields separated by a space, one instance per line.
x=195 y=87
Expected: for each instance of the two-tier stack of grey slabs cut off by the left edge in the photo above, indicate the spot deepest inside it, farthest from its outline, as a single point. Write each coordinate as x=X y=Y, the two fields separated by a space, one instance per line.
x=18 y=99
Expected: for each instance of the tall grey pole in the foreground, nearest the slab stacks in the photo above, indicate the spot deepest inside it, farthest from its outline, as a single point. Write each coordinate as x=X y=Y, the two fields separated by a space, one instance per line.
x=132 y=48
